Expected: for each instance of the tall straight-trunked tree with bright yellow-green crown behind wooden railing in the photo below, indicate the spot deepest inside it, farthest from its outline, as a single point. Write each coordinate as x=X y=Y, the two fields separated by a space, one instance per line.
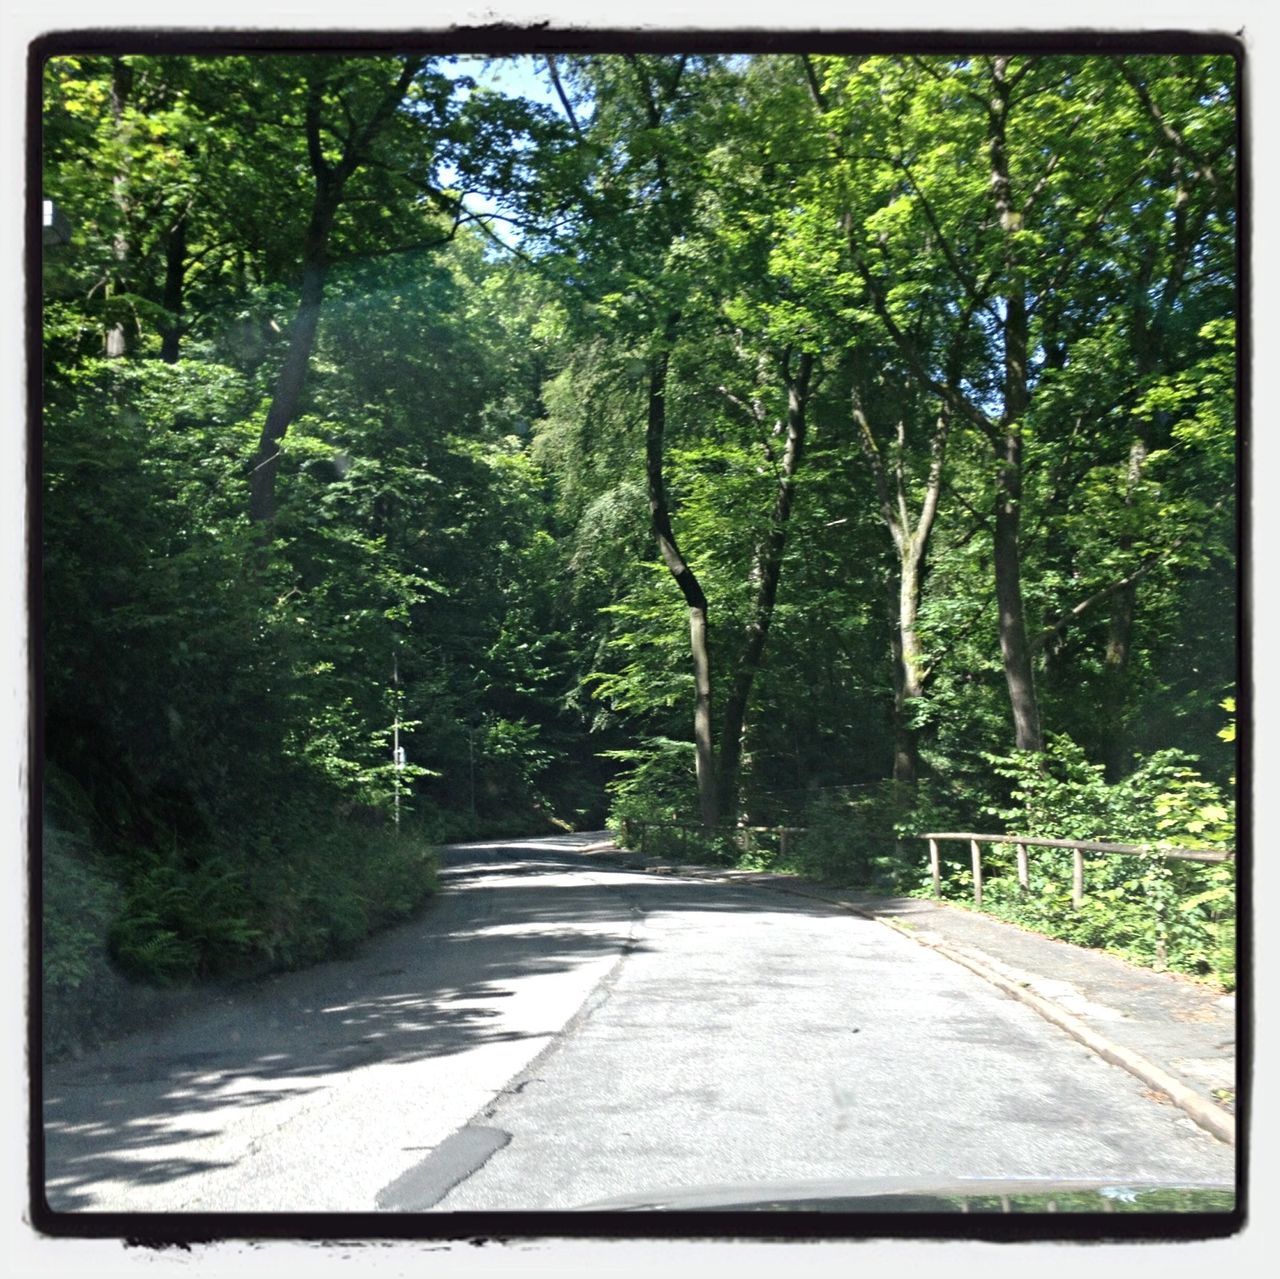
x=1000 y=227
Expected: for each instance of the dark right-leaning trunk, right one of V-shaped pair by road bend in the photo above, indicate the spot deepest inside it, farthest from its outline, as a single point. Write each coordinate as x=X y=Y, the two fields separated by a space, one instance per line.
x=766 y=573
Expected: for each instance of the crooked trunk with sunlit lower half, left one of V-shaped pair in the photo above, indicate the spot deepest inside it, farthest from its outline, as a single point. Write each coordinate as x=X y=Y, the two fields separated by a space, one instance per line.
x=685 y=578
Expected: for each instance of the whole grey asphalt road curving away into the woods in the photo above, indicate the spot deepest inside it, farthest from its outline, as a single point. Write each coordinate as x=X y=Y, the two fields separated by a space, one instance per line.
x=556 y=1030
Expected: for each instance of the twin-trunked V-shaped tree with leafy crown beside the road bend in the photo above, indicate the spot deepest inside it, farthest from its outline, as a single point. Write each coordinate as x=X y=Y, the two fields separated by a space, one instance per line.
x=685 y=237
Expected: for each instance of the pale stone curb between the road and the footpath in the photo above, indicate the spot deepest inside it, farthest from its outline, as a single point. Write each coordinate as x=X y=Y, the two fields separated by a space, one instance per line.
x=1214 y=1120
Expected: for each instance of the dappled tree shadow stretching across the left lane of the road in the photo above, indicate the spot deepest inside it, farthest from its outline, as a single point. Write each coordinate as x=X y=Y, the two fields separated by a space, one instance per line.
x=152 y=1108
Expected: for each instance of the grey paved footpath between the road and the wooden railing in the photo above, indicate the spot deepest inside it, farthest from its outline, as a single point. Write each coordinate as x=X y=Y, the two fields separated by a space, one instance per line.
x=1176 y=1034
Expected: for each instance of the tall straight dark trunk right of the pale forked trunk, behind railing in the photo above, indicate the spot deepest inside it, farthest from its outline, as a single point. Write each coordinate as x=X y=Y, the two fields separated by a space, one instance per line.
x=1014 y=646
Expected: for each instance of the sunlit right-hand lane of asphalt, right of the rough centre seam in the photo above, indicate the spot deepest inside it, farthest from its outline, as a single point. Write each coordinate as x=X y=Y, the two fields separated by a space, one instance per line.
x=758 y=1038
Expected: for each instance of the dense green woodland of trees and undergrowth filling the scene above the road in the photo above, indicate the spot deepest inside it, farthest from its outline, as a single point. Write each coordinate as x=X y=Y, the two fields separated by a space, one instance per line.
x=368 y=390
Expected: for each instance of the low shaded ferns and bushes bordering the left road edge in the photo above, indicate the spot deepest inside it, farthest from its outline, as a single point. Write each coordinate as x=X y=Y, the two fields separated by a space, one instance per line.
x=188 y=913
